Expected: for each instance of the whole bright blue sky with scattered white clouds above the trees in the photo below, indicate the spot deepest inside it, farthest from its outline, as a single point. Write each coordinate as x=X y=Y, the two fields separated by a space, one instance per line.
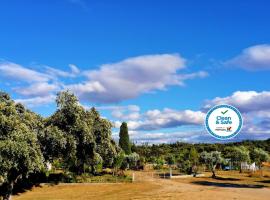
x=158 y=65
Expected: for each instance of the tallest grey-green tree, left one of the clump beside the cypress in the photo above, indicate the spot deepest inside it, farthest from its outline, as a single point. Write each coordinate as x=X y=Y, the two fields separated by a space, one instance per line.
x=70 y=118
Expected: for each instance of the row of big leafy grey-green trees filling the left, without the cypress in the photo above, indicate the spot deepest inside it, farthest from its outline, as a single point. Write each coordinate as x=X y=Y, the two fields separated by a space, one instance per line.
x=79 y=139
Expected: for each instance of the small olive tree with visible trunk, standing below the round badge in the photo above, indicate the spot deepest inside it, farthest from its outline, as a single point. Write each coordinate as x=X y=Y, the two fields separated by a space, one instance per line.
x=211 y=159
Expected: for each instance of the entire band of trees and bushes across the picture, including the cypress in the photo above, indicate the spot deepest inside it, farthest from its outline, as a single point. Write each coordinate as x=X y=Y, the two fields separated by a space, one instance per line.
x=79 y=144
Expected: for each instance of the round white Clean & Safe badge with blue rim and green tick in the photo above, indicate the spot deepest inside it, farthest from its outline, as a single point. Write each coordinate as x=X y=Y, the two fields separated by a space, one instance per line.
x=223 y=122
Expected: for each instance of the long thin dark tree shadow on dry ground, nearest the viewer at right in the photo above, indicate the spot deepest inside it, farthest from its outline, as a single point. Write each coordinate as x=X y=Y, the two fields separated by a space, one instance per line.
x=227 y=185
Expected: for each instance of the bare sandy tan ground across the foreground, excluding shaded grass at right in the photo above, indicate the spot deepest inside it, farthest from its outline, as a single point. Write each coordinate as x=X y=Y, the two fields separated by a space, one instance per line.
x=156 y=189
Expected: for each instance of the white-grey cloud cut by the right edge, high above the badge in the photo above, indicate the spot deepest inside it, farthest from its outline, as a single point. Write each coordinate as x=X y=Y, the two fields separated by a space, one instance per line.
x=253 y=58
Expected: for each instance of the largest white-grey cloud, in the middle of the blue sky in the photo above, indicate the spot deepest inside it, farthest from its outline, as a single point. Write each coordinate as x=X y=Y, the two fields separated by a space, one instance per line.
x=132 y=77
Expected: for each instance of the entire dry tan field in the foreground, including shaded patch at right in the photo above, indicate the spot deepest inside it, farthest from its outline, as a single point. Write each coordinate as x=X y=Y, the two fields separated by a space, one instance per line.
x=228 y=185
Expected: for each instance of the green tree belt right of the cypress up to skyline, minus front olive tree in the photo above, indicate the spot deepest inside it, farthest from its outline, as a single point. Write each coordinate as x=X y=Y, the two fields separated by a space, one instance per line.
x=186 y=154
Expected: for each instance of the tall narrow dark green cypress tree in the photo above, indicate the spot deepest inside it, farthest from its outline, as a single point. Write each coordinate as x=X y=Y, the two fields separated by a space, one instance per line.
x=124 y=142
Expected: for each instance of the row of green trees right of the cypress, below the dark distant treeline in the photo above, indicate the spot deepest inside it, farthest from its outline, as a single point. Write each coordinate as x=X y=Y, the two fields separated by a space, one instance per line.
x=188 y=158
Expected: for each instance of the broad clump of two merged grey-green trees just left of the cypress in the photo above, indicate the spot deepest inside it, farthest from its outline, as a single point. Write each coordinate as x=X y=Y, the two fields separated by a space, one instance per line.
x=88 y=140
